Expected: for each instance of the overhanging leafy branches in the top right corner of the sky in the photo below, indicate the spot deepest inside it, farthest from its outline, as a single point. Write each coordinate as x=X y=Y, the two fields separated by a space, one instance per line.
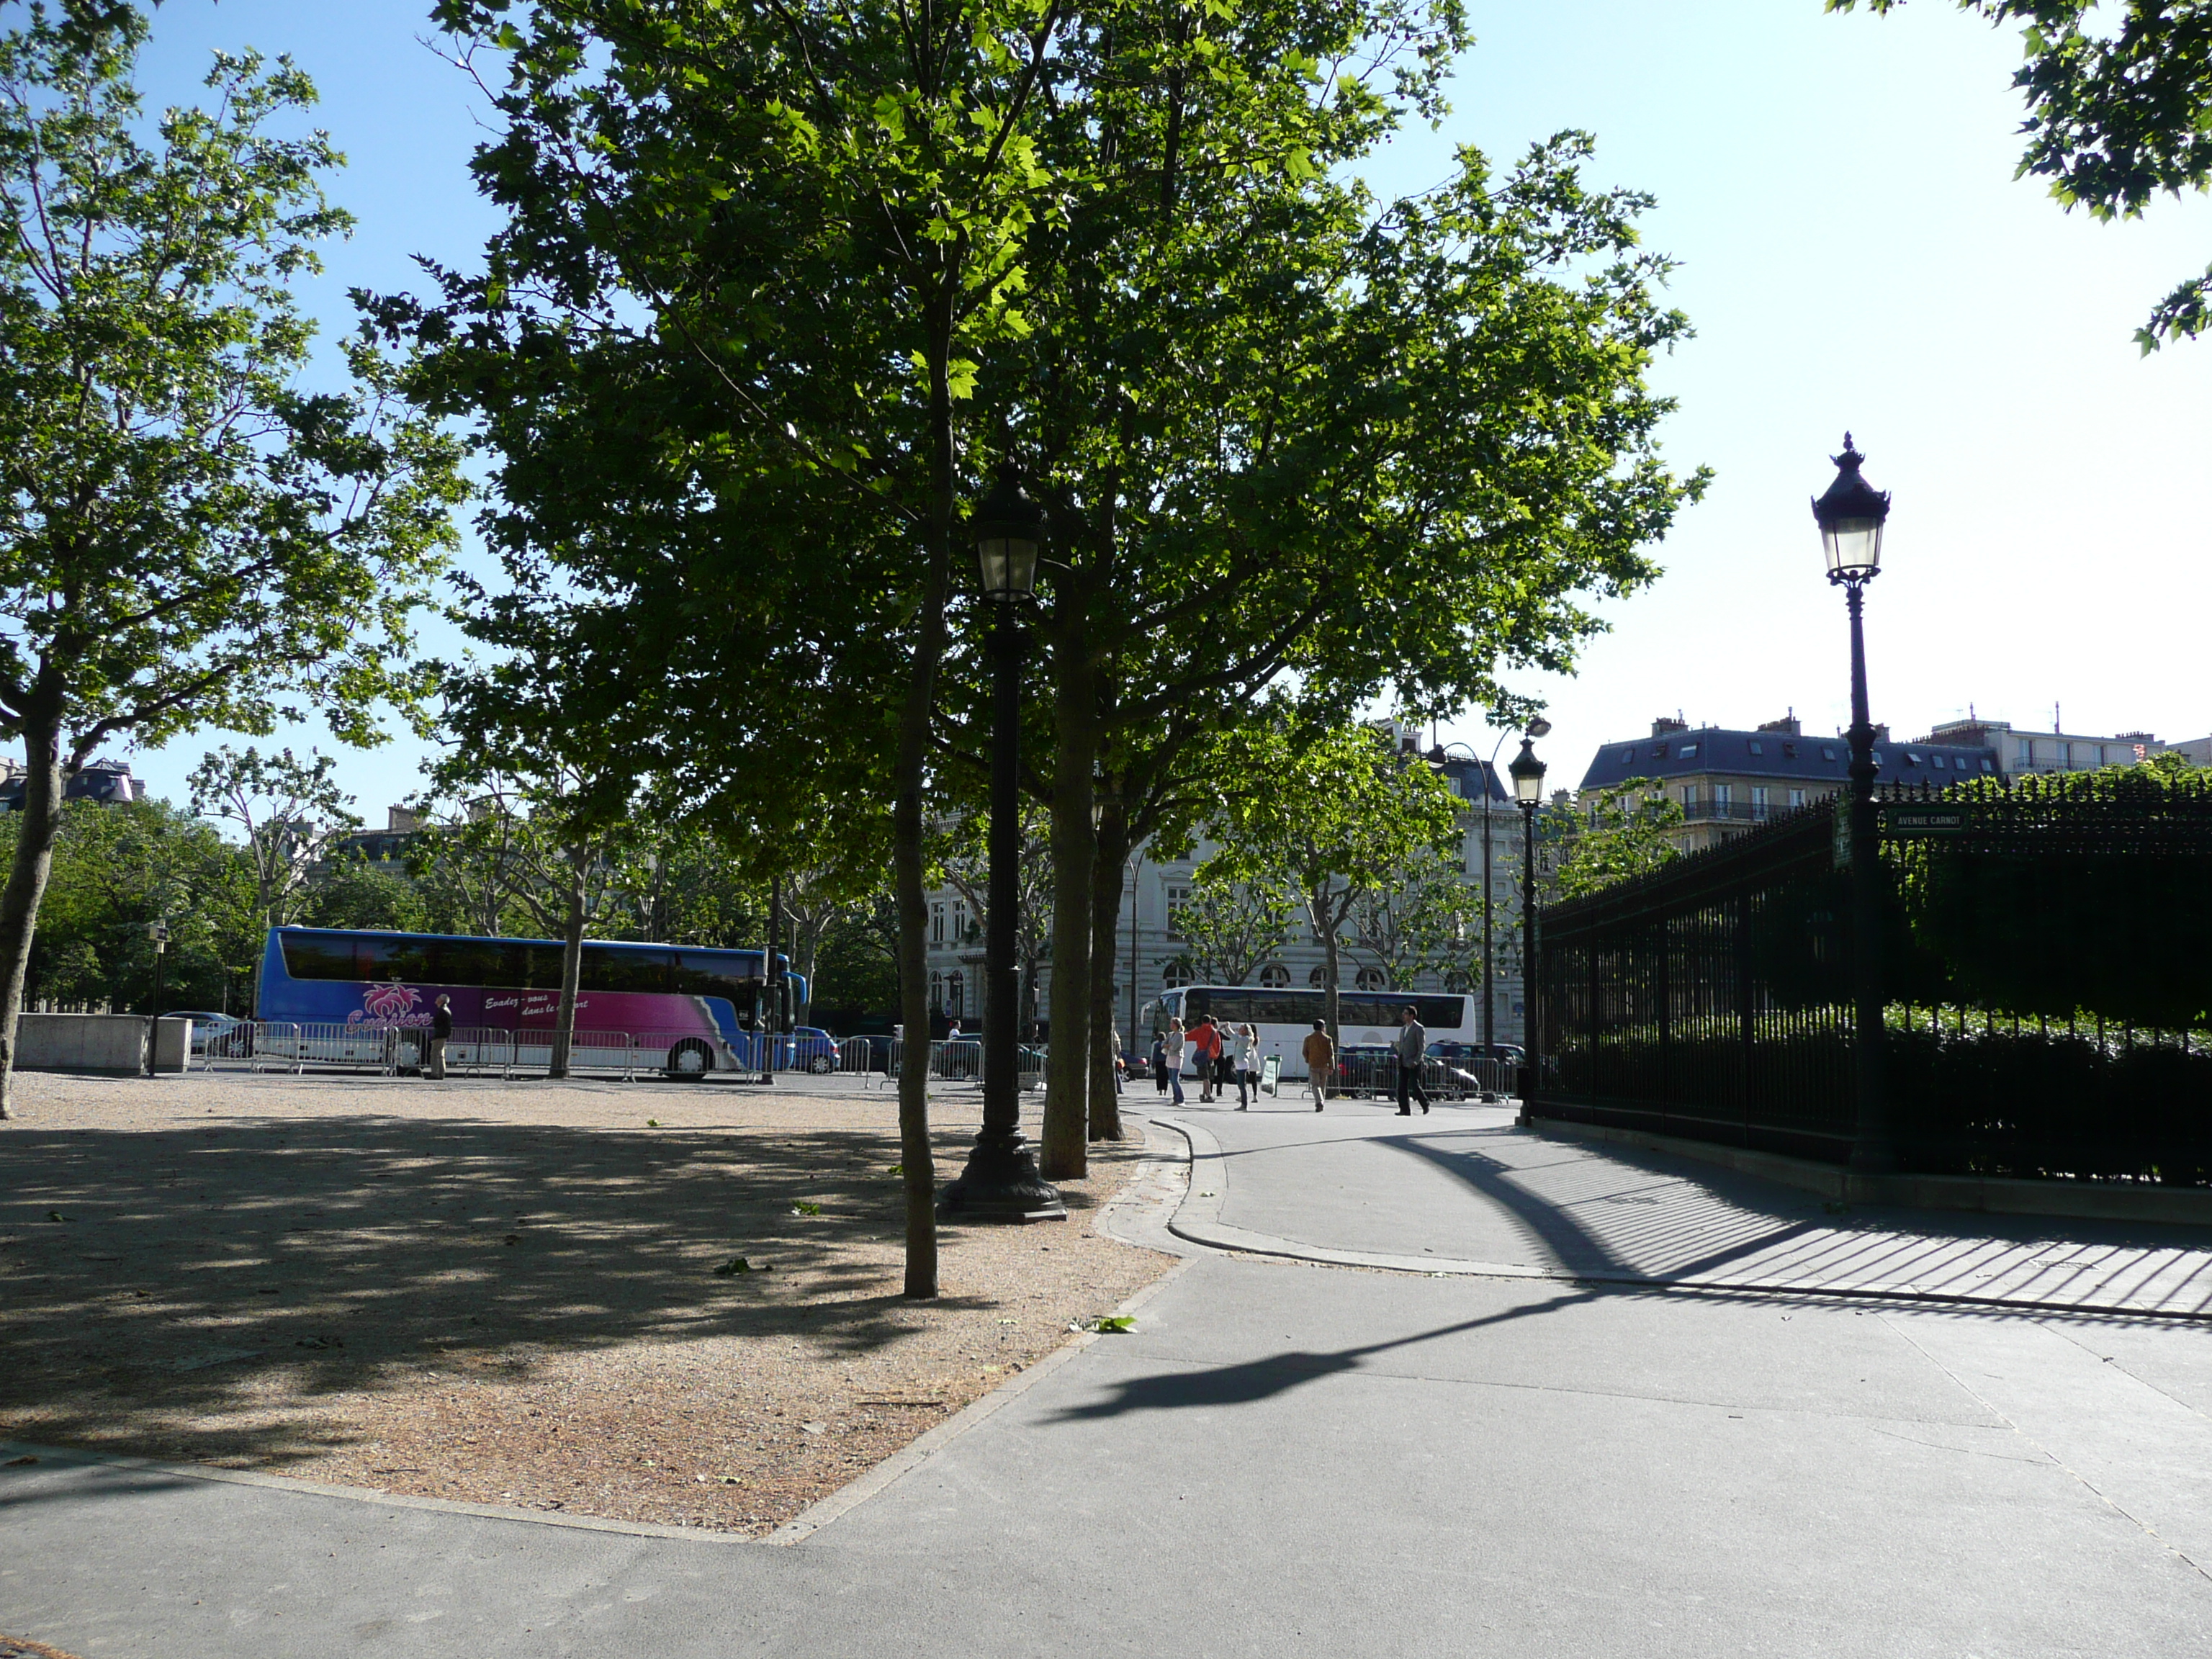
x=2120 y=112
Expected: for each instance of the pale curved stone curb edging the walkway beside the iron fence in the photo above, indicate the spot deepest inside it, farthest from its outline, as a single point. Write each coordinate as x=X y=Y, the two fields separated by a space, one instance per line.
x=1200 y=1222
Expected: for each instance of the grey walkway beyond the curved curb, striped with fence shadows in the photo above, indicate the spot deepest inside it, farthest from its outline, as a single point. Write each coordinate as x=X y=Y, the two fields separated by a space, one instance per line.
x=1463 y=1191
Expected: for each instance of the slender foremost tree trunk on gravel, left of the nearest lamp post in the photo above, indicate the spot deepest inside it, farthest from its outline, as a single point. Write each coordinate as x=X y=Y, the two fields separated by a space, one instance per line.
x=908 y=782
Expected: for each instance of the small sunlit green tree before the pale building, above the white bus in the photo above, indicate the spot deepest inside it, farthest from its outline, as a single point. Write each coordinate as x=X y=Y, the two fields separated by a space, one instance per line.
x=1339 y=815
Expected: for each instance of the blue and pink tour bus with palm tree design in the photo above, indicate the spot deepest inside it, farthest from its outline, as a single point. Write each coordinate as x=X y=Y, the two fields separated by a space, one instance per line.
x=682 y=1008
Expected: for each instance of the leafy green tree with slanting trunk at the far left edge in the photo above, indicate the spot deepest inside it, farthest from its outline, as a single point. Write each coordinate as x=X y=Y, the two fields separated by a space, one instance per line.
x=187 y=539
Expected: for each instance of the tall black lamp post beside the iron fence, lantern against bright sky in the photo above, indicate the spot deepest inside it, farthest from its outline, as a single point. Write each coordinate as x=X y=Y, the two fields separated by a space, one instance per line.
x=1850 y=519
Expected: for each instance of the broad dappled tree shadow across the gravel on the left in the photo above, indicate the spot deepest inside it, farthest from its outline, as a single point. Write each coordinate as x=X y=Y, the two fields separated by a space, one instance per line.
x=178 y=1273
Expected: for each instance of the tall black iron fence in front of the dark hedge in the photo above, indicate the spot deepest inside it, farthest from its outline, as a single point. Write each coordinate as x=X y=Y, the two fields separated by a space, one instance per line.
x=2049 y=992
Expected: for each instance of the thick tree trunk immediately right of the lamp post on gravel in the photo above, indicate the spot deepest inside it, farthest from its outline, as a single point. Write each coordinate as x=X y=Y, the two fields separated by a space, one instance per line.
x=1067 y=1112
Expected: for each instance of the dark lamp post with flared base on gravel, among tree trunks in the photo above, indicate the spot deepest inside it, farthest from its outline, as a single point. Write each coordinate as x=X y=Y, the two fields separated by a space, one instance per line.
x=1001 y=1180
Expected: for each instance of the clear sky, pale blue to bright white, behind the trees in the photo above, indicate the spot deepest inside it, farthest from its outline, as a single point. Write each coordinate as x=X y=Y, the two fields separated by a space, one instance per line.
x=1855 y=253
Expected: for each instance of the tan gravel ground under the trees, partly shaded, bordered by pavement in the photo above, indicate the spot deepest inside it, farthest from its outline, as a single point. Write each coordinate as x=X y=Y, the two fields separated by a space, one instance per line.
x=505 y=1291
